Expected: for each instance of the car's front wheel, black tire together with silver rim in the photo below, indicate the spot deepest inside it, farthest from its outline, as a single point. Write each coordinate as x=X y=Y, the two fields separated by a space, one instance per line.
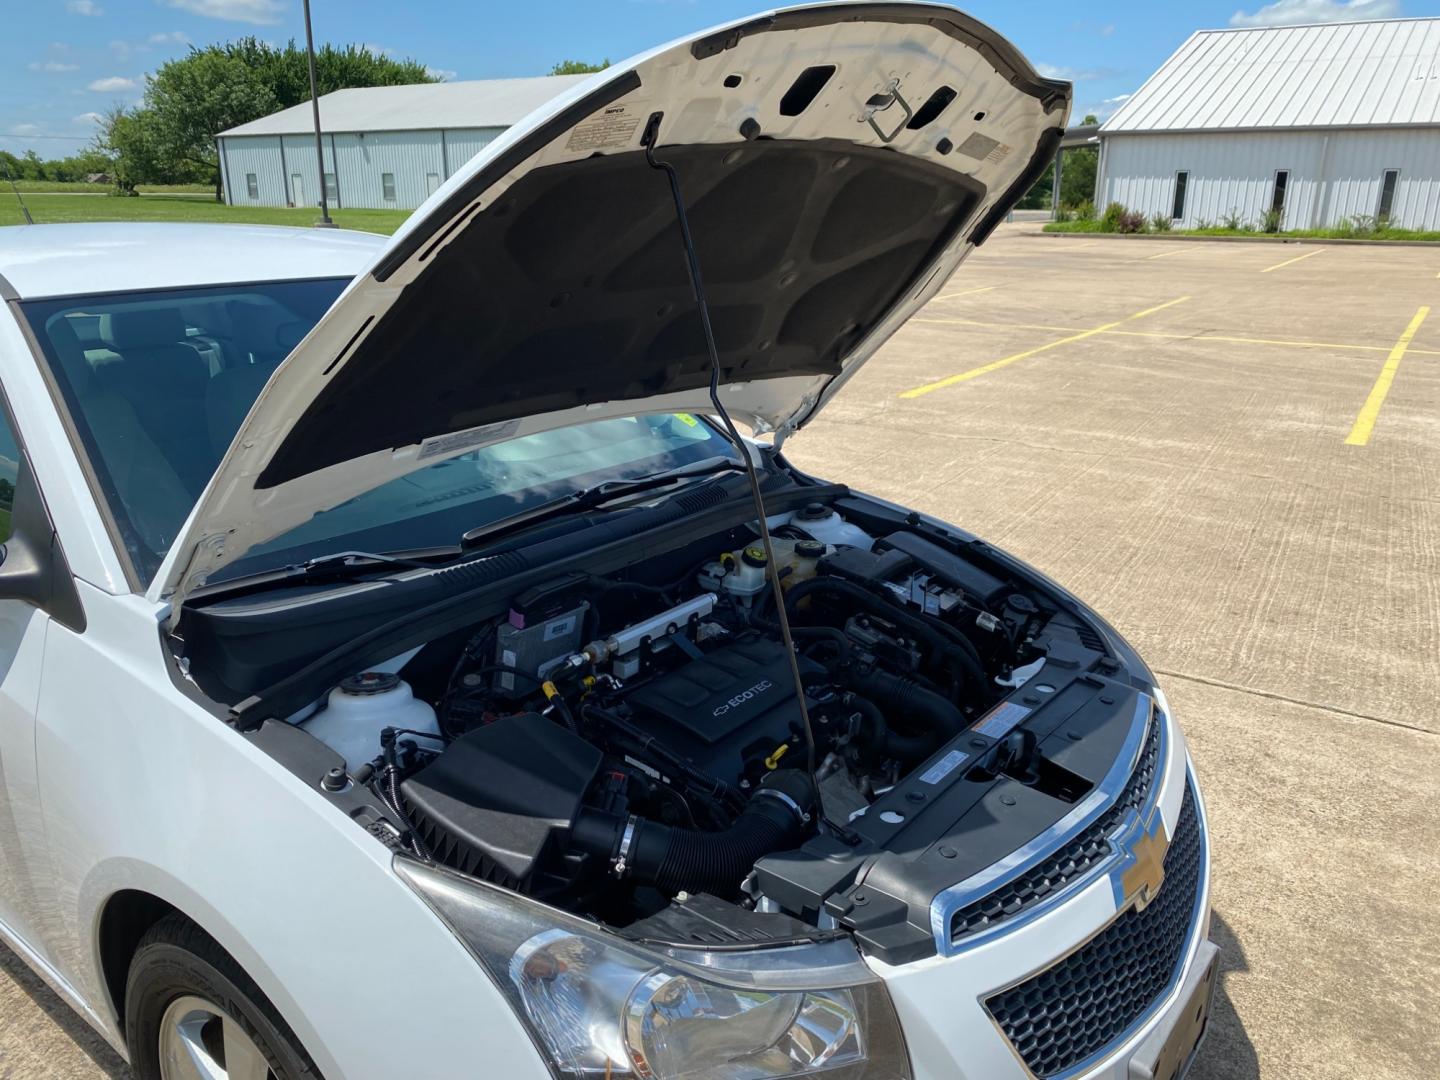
x=194 y=1014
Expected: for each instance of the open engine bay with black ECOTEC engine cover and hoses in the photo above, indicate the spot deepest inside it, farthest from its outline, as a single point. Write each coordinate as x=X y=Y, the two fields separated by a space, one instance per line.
x=631 y=747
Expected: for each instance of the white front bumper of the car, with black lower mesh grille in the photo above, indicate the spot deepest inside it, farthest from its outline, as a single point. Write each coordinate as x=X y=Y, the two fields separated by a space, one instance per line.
x=953 y=1009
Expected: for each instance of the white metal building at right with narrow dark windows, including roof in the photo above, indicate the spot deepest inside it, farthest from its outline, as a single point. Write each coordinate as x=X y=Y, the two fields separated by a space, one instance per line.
x=1323 y=123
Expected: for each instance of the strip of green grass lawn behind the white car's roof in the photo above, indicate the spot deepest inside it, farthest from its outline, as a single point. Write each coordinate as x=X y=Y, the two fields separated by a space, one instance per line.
x=182 y=208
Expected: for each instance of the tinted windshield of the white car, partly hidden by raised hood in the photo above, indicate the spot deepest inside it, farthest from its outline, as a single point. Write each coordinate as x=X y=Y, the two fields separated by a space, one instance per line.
x=158 y=384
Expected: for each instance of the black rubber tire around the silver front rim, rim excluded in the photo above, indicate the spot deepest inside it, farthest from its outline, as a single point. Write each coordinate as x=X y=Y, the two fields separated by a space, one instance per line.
x=165 y=971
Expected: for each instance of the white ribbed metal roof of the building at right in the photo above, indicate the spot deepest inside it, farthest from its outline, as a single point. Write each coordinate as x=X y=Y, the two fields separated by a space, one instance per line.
x=1366 y=74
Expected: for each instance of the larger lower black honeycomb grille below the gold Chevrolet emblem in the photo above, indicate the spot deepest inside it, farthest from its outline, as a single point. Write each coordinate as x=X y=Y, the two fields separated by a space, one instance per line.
x=1076 y=1009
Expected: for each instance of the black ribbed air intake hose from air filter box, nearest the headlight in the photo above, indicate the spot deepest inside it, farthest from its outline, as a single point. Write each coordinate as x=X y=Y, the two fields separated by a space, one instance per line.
x=673 y=859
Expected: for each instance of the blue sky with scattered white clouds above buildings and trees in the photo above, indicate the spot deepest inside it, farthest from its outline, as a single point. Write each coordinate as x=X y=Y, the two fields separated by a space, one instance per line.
x=63 y=63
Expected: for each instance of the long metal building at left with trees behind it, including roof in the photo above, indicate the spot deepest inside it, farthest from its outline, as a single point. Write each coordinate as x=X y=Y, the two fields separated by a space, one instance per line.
x=384 y=146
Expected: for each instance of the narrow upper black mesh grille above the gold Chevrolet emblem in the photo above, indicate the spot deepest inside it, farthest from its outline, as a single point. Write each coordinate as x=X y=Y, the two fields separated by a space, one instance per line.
x=1068 y=863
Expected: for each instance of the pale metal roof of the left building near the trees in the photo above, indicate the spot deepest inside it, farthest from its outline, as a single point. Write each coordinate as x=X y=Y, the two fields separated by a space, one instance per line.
x=474 y=104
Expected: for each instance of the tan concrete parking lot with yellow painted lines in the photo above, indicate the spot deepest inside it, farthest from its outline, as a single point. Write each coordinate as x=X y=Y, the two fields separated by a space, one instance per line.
x=1232 y=451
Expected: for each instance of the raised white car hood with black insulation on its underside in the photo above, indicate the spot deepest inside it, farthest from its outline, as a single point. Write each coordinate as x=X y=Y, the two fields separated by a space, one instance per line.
x=839 y=162
